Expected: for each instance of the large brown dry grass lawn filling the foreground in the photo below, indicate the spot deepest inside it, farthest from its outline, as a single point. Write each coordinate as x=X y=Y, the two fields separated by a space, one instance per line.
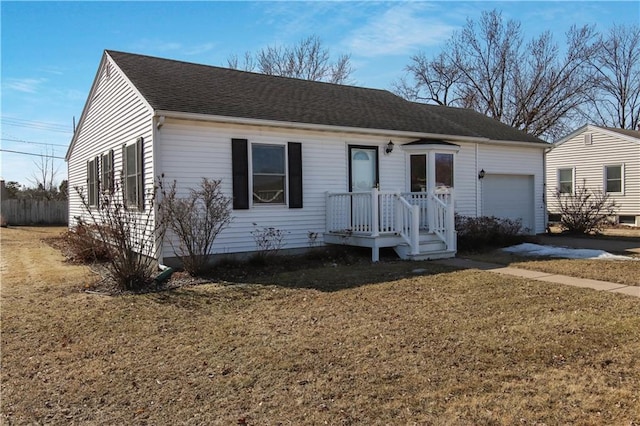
x=359 y=344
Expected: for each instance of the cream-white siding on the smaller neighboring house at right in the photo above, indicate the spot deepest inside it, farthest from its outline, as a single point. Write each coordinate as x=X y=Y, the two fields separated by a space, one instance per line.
x=588 y=161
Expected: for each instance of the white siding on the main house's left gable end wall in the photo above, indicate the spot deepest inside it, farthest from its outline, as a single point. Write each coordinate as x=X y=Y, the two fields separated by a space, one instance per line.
x=114 y=116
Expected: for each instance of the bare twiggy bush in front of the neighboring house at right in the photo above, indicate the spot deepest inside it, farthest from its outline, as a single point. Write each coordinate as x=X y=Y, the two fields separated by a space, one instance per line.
x=584 y=211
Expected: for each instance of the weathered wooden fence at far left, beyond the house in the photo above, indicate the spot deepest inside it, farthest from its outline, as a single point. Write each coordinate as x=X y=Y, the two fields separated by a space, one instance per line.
x=35 y=212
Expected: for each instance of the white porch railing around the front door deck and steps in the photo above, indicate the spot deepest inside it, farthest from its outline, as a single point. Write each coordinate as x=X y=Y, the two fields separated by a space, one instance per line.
x=377 y=213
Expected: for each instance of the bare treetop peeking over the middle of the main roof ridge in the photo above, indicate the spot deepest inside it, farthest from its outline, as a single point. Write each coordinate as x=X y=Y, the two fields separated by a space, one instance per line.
x=308 y=59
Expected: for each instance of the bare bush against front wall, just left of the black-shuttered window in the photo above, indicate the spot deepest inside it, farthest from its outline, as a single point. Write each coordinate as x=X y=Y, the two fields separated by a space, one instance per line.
x=195 y=220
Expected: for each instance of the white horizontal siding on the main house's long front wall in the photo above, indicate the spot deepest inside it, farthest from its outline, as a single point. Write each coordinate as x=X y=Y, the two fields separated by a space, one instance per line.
x=187 y=151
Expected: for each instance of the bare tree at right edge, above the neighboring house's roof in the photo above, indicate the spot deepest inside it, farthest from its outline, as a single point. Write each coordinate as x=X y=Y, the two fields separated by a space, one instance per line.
x=616 y=103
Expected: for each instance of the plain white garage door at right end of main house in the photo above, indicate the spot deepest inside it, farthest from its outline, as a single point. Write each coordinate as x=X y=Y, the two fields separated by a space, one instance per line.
x=509 y=196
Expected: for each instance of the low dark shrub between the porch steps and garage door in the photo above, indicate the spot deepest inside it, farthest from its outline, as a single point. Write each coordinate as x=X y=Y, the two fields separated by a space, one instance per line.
x=477 y=233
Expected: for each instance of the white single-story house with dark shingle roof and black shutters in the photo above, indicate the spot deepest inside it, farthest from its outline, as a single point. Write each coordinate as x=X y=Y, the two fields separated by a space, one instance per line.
x=352 y=165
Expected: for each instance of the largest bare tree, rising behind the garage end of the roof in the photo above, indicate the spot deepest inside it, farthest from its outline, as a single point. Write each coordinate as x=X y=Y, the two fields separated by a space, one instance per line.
x=488 y=67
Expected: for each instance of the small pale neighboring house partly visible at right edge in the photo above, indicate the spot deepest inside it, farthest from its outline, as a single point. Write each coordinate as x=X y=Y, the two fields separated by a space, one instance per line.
x=602 y=159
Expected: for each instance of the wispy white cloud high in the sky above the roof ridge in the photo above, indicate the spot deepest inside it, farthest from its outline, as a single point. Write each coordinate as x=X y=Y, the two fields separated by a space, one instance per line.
x=398 y=31
